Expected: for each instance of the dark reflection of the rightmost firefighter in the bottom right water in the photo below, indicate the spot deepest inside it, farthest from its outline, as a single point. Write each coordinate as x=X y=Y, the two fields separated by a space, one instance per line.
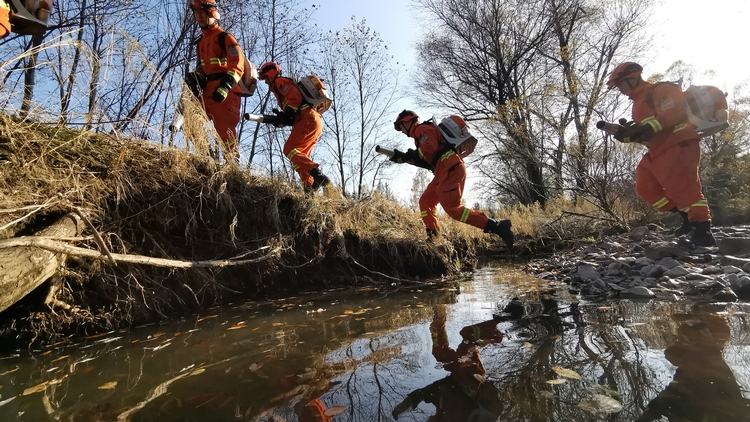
x=703 y=387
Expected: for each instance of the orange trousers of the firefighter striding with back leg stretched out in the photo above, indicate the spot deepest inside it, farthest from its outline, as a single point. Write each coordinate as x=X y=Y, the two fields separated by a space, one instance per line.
x=446 y=189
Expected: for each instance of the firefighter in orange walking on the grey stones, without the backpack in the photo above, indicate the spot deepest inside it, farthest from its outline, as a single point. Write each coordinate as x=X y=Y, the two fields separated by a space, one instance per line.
x=667 y=176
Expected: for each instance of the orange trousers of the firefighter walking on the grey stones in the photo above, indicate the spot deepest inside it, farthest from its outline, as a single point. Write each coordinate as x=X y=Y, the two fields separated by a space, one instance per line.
x=670 y=180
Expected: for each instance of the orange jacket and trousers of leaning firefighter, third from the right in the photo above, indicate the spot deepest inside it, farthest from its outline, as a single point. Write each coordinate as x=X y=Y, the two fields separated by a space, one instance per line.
x=307 y=128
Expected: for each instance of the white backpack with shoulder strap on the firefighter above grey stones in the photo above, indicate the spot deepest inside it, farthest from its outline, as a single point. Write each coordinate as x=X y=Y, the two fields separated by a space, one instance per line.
x=705 y=106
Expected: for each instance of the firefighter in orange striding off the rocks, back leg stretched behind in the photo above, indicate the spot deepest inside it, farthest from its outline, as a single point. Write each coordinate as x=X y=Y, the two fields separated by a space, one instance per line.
x=447 y=187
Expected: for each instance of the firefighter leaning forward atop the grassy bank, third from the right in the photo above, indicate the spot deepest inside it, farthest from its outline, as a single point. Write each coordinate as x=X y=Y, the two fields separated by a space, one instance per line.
x=307 y=126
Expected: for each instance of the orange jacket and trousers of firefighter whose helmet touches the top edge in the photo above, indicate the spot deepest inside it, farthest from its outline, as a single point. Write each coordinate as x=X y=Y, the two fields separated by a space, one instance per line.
x=216 y=62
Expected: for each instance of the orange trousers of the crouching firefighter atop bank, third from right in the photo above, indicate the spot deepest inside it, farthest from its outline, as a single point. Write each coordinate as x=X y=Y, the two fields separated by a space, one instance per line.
x=307 y=128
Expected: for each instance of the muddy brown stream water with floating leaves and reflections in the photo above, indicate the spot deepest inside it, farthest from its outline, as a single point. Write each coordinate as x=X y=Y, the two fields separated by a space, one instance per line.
x=423 y=353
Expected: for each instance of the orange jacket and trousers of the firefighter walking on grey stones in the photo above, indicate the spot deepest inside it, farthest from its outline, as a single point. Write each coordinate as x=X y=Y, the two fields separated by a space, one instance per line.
x=667 y=176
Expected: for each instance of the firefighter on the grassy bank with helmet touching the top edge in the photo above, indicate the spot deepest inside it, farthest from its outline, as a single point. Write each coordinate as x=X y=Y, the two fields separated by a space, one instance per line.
x=217 y=76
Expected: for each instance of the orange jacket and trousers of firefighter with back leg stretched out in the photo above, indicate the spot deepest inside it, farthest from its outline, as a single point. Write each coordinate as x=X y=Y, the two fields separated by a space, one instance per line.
x=446 y=188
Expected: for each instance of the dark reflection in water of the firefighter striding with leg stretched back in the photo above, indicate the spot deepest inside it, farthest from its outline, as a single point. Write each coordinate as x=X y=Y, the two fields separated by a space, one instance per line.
x=463 y=395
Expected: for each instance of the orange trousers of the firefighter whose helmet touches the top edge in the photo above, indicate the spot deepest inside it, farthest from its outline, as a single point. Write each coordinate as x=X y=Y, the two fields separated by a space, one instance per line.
x=226 y=116
